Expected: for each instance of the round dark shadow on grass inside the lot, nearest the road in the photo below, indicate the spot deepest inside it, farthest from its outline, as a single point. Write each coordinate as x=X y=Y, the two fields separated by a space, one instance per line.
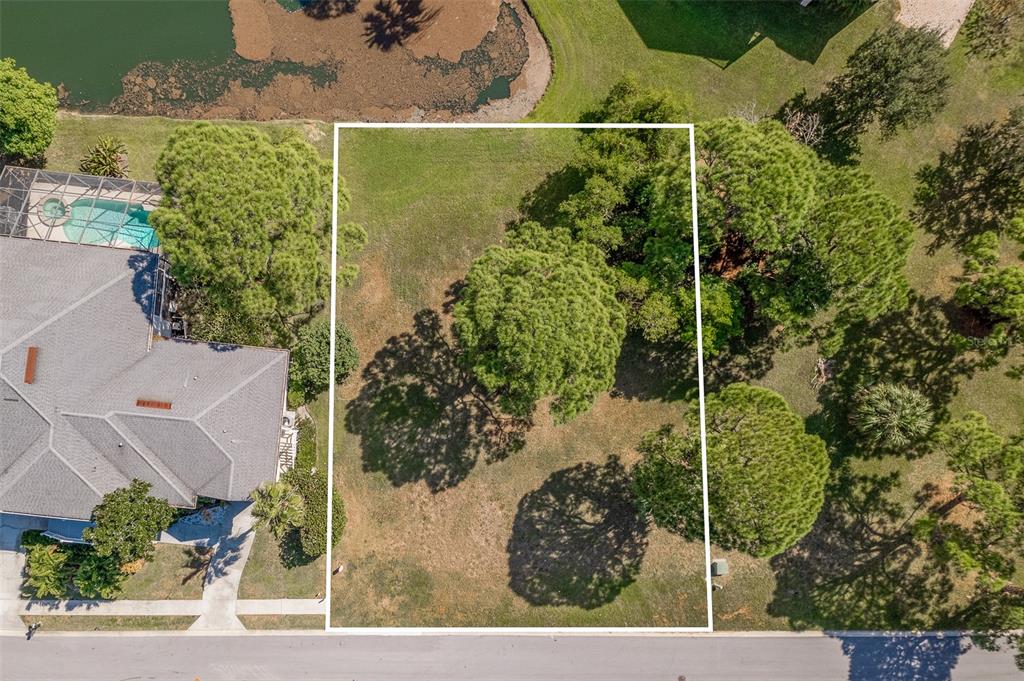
x=578 y=540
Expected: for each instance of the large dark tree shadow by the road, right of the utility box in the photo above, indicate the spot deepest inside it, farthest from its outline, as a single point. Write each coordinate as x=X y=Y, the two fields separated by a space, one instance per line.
x=860 y=567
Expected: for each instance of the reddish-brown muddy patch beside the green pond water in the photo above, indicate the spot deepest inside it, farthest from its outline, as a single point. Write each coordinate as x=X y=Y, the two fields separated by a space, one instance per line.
x=337 y=61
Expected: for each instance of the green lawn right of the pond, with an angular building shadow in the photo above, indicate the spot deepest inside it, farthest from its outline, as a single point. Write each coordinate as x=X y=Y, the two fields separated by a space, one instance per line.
x=717 y=57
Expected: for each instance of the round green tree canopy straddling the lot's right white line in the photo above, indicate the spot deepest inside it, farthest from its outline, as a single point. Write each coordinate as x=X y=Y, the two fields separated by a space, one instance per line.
x=766 y=476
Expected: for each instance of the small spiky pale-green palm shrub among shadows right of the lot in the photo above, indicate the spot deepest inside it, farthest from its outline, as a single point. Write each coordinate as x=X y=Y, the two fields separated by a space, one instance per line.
x=892 y=416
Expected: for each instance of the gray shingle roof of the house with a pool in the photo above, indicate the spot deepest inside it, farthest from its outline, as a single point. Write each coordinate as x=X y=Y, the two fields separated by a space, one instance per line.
x=76 y=433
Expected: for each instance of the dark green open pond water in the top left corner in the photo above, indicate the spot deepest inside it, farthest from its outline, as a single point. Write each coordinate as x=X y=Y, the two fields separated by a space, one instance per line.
x=90 y=46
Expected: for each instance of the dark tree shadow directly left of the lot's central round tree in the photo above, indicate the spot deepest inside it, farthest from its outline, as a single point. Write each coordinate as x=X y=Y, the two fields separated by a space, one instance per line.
x=421 y=417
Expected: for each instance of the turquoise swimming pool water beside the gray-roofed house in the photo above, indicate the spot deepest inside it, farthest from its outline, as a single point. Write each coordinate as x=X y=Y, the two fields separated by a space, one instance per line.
x=114 y=223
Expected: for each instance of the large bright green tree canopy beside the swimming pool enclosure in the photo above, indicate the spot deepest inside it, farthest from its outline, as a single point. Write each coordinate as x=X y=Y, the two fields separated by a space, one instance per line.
x=246 y=220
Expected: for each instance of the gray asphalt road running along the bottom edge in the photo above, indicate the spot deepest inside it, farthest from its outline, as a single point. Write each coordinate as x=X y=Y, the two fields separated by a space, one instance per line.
x=266 y=658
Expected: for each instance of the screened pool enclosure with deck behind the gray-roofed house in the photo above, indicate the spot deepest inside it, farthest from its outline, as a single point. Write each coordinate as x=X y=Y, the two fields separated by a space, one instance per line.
x=78 y=209
